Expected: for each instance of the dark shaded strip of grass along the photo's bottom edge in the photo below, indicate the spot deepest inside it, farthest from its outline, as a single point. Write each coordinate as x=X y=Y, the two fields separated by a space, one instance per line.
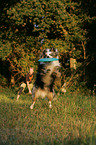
x=26 y=137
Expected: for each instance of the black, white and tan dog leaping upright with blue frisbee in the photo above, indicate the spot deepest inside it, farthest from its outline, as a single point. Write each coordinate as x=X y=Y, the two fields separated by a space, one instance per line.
x=47 y=72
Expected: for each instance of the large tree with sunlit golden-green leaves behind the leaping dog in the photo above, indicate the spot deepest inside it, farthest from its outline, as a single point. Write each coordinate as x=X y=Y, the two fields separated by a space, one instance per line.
x=33 y=25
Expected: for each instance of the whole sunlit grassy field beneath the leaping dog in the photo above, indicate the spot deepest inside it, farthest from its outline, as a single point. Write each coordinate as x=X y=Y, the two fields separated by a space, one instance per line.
x=71 y=121
